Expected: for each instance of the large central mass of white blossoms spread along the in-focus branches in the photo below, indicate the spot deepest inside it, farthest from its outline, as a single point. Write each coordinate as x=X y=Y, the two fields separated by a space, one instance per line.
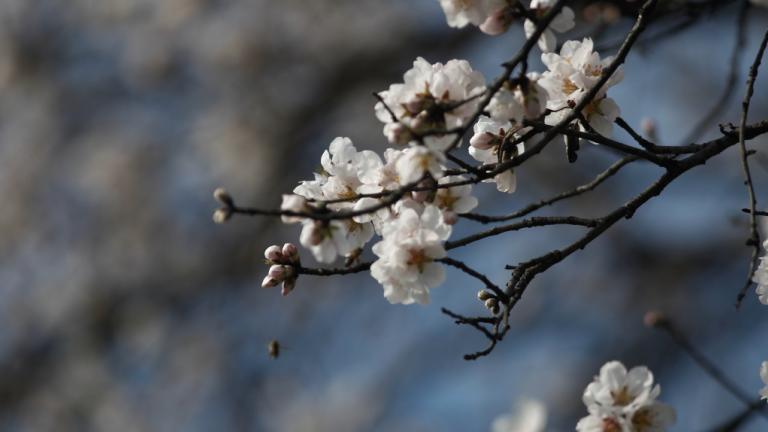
x=406 y=197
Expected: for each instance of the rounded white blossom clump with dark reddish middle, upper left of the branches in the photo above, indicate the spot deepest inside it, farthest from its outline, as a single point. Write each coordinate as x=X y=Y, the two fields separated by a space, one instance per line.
x=432 y=97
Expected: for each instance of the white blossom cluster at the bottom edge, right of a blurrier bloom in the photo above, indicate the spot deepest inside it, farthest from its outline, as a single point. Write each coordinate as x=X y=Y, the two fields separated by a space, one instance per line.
x=624 y=401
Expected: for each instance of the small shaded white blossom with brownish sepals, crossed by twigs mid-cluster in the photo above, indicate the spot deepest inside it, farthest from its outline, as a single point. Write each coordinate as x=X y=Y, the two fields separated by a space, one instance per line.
x=489 y=135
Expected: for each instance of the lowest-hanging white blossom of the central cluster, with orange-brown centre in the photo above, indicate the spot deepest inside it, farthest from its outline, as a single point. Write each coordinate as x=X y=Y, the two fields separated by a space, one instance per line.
x=411 y=243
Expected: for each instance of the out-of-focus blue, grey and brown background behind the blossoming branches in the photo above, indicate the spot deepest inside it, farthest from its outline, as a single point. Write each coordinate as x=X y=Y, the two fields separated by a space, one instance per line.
x=124 y=308
